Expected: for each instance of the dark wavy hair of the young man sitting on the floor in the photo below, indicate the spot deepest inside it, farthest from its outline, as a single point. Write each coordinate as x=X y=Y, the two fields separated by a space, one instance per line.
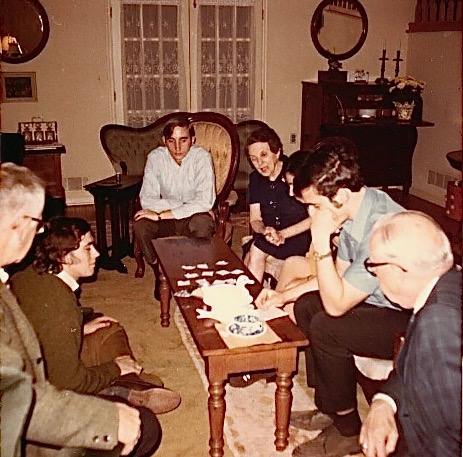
x=63 y=235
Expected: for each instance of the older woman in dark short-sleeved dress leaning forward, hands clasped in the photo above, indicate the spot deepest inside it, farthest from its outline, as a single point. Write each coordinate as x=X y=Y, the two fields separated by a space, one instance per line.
x=279 y=222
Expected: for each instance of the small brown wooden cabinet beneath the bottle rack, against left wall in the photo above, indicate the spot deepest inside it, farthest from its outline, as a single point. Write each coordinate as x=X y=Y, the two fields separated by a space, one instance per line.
x=45 y=161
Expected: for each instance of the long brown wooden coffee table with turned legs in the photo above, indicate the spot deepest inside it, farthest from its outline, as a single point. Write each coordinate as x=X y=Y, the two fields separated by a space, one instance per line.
x=220 y=361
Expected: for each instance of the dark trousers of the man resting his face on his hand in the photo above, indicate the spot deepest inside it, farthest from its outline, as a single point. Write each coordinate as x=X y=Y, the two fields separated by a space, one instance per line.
x=366 y=330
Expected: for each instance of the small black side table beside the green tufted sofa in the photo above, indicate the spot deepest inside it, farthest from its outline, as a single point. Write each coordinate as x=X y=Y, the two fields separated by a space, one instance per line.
x=119 y=198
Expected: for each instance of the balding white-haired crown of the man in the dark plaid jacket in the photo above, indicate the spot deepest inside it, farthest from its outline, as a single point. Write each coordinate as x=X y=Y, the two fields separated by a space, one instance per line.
x=429 y=247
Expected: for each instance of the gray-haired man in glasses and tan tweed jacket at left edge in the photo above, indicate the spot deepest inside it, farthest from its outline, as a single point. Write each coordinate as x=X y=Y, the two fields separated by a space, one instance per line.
x=36 y=418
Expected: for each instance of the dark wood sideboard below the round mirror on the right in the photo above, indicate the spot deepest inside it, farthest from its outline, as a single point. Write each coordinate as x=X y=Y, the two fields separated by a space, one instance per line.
x=363 y=113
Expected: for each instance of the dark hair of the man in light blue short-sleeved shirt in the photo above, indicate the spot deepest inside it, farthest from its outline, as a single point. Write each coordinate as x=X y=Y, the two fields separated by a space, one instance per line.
x=330 y=167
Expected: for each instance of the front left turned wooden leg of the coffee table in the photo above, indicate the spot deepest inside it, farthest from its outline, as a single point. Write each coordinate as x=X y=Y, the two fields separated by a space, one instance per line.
x=216 y=404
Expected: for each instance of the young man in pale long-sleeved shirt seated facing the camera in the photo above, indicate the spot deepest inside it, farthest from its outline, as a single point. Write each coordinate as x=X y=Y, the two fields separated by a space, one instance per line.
x=178 y=191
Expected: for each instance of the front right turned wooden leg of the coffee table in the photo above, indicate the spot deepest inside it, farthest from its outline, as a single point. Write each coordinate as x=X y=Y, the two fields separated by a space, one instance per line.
x=283 y=401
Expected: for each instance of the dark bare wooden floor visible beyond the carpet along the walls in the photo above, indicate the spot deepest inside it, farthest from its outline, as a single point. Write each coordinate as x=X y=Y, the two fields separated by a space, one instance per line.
x=452 y=227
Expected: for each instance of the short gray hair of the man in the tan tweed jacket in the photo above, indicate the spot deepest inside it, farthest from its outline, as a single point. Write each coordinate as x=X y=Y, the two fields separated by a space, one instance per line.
x=20 y=189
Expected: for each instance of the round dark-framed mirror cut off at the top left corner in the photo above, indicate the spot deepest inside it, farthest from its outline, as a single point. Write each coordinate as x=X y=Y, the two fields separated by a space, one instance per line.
x=24 y=30
